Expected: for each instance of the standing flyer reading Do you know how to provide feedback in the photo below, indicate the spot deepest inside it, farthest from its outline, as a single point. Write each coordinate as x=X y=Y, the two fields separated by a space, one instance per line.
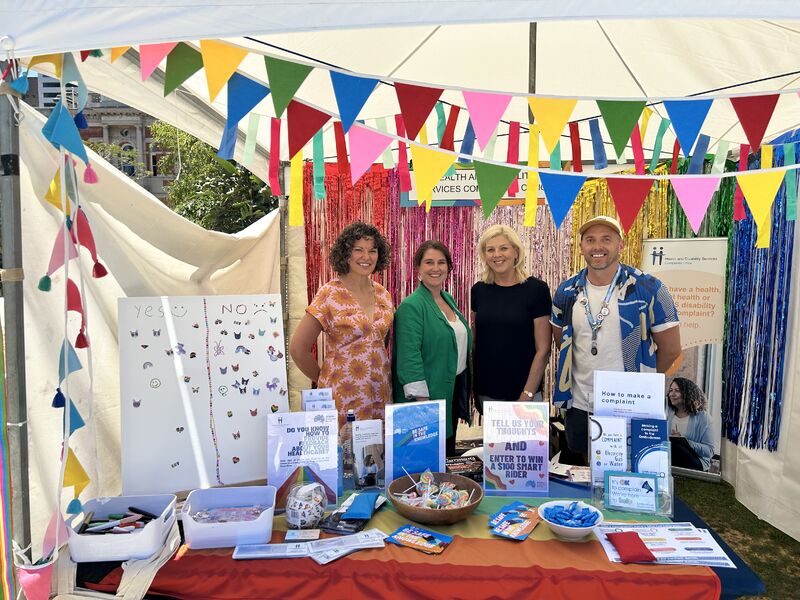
x=302 y=447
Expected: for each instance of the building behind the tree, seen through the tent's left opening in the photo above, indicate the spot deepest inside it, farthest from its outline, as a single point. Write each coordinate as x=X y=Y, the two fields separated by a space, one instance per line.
x=110 y=122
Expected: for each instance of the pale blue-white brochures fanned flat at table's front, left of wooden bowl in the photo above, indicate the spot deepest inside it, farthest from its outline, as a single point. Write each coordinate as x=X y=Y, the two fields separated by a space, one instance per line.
x=322 y=551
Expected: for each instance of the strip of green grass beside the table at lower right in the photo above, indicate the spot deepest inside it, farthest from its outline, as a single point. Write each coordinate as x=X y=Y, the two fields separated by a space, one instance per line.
x=772 y=554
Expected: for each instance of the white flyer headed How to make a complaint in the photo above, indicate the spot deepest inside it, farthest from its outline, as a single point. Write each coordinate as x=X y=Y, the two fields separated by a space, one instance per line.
x=622 y=394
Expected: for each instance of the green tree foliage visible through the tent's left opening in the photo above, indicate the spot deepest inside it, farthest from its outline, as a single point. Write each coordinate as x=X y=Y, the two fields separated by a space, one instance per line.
x=217 y=194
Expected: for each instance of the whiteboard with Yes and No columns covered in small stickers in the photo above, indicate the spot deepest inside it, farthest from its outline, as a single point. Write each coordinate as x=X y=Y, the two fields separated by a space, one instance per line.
x=198 y=376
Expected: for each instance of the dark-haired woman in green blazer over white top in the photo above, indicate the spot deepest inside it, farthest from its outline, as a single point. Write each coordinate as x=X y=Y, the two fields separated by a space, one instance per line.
x=432 y=352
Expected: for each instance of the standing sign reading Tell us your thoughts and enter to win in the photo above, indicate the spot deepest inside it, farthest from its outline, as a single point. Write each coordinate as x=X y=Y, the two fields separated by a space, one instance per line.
x=515 y=452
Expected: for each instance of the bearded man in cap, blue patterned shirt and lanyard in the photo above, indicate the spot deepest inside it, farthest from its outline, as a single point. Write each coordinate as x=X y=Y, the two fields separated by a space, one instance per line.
x=608 y=317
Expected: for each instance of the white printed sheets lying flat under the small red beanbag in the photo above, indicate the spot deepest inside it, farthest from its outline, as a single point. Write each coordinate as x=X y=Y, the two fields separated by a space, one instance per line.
x=670 y=543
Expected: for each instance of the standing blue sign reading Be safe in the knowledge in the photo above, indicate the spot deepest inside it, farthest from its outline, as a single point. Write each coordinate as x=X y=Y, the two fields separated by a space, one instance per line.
x=415 y=438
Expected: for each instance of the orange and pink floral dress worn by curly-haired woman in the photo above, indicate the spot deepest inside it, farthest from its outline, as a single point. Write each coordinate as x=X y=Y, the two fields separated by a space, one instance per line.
x=356 y=362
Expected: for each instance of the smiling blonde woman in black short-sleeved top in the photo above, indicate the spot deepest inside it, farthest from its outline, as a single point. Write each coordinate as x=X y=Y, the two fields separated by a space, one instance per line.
x=511 y=322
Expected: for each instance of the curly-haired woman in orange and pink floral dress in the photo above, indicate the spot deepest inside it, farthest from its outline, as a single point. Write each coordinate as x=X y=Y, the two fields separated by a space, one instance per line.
x=355 y=313
